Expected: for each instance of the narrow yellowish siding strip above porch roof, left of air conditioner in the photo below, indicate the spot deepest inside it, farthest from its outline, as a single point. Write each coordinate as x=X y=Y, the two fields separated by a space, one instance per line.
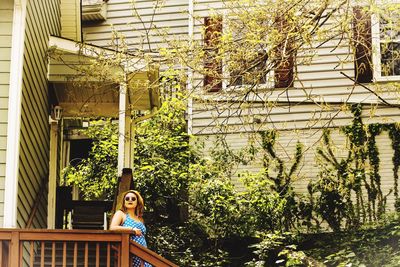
x=70 y=19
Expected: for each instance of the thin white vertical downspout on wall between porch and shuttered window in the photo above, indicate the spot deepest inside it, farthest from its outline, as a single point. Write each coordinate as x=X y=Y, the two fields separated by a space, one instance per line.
x=190 y=71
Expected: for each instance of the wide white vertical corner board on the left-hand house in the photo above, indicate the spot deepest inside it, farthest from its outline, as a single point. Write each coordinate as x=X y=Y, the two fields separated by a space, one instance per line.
x=14 y=115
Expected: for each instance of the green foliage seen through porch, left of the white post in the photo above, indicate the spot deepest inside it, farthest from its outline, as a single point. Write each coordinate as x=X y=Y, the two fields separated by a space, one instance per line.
x=96 y=176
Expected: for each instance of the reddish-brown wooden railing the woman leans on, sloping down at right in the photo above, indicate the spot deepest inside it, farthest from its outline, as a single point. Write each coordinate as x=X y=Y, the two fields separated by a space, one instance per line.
x=22 y=247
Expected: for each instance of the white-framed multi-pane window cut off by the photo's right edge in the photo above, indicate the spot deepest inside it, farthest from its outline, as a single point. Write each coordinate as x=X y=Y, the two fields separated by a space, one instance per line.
x=386 y=41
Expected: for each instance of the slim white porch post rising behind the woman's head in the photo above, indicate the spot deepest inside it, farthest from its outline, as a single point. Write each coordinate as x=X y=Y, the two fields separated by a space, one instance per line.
x=122 y=126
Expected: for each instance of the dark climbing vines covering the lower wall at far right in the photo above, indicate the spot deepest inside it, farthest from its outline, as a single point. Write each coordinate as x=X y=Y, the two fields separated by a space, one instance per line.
x=340 y=179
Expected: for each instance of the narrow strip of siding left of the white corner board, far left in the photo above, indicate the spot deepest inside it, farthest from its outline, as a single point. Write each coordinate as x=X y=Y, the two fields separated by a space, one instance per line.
x=6 y=18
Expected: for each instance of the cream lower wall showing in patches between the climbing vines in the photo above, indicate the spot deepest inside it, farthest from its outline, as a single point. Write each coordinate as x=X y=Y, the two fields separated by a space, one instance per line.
x=308 y=168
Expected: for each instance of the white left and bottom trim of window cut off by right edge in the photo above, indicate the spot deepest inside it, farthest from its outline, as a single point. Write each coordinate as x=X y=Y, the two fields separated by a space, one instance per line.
x=376 y=51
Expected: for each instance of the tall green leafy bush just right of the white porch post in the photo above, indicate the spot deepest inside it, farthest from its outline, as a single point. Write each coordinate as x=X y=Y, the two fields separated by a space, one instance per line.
x=162 y=158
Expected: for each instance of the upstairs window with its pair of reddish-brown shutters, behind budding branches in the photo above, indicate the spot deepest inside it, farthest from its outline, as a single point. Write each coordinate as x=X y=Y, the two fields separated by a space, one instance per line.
x=246 y=61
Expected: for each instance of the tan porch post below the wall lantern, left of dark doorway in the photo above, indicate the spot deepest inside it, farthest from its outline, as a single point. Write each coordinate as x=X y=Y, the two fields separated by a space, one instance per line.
x=51 y=204
